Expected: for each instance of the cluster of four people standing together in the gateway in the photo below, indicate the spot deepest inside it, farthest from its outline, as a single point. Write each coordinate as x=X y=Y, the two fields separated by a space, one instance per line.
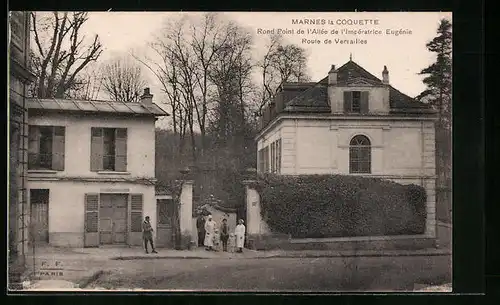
x=209 y=234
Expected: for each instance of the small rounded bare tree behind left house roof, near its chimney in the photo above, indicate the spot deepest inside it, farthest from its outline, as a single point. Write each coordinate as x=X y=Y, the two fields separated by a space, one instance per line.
x=122 y=79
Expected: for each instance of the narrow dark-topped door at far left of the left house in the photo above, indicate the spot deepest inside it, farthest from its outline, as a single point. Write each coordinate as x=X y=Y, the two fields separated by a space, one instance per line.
x=39 y=203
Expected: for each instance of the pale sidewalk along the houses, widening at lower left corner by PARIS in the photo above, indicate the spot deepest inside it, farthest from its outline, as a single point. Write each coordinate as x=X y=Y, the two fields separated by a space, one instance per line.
x=63 y=267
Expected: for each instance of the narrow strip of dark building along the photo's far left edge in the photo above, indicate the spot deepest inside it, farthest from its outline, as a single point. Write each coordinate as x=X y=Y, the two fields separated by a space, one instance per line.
x=19 y=79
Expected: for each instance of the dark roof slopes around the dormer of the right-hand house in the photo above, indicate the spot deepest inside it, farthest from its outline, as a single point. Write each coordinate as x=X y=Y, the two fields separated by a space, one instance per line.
x=315 y=99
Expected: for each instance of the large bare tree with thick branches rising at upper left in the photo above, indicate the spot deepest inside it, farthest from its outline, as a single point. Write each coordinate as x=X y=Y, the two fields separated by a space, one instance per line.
x=59 y=53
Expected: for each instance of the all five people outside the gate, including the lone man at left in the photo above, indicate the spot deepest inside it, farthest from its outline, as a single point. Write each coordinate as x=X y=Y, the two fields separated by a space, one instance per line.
x=208 y=234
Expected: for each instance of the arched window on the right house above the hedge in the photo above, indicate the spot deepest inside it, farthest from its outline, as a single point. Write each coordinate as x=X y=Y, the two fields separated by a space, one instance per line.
x=359 y=155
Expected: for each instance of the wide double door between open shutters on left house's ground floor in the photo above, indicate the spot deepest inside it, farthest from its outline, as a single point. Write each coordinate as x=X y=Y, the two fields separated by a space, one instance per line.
x=113 y=219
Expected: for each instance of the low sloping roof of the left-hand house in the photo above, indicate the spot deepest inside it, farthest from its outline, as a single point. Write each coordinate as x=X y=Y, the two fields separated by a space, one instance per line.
x=95 y=106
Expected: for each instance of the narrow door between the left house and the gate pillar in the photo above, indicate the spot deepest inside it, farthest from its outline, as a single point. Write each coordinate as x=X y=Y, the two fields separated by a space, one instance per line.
x=165 y=226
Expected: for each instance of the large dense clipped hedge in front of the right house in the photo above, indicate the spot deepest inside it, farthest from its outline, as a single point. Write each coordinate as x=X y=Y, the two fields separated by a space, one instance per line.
x=336 y=205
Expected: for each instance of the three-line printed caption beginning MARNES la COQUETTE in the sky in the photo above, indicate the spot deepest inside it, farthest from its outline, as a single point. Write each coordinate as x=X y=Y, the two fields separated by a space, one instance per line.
x=340 y=27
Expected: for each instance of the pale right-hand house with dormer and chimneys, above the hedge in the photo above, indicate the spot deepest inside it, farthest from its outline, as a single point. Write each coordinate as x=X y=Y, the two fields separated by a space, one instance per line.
x=352 y=123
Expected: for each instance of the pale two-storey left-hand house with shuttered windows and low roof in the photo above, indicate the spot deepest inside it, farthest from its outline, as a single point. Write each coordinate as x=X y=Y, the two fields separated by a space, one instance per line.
x=91 y=170
